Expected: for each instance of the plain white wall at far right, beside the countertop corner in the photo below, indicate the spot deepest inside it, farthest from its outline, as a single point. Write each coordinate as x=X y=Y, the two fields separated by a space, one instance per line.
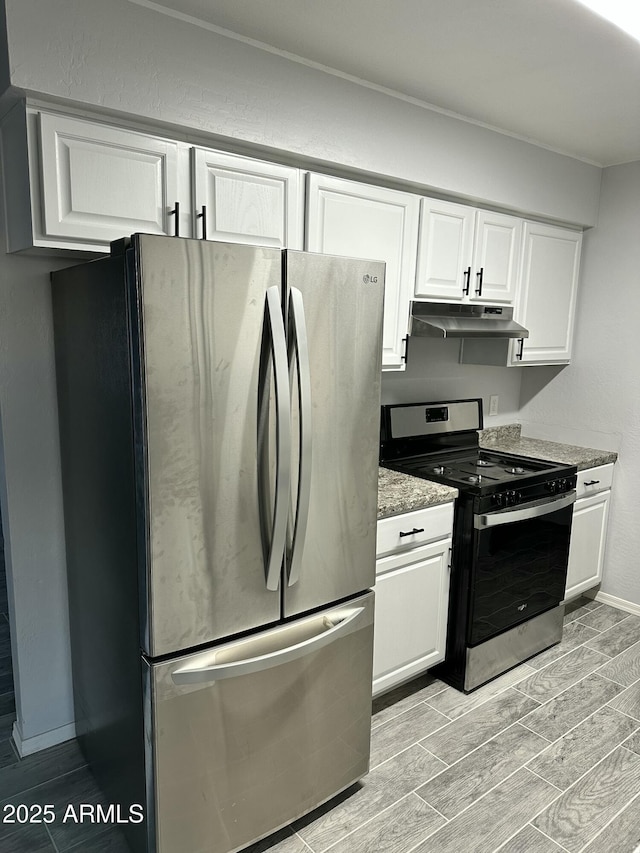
x=598 y=395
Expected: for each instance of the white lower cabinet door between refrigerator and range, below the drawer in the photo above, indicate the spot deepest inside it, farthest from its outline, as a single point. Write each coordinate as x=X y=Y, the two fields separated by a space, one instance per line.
x=412 y=603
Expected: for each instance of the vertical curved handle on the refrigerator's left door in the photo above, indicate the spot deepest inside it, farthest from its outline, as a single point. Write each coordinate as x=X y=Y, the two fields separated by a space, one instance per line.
x=274 y=344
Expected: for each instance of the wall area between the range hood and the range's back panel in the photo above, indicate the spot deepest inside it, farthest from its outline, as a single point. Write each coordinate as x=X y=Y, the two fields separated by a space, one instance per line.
x=434 y=373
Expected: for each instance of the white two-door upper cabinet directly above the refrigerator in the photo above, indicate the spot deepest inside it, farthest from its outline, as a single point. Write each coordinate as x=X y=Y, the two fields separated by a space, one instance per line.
x=74 y=183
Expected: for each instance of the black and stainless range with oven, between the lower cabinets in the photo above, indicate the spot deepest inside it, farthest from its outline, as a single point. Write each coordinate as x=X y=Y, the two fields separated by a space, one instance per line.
x=512 y=527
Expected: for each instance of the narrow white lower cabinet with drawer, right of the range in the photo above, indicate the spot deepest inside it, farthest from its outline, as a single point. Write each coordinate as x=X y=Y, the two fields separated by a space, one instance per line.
x=589 y=530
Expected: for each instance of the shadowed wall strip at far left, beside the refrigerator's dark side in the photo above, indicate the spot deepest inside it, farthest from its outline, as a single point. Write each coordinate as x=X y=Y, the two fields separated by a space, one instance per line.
x=31 y=502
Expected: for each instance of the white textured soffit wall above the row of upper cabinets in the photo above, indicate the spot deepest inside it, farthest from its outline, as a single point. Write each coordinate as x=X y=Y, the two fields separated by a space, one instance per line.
x=123 y=57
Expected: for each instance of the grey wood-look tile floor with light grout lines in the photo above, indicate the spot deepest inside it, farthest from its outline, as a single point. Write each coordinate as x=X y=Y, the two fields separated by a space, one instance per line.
x=544 y=759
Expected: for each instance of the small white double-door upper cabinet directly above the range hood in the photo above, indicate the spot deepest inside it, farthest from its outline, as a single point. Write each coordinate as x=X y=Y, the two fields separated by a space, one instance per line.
x=467 y=255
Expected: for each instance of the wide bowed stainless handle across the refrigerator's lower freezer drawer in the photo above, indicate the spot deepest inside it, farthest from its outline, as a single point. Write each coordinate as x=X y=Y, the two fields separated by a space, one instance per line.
x=281 y=646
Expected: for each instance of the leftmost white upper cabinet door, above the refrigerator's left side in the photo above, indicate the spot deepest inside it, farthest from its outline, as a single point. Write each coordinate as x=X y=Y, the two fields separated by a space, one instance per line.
x=99 y=183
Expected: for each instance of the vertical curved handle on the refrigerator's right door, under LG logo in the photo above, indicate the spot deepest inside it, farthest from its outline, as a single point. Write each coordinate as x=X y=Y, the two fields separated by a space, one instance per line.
x=299 y=345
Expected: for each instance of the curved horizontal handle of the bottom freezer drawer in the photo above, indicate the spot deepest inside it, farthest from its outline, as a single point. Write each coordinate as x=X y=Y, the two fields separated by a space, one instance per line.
x=330 y=627
